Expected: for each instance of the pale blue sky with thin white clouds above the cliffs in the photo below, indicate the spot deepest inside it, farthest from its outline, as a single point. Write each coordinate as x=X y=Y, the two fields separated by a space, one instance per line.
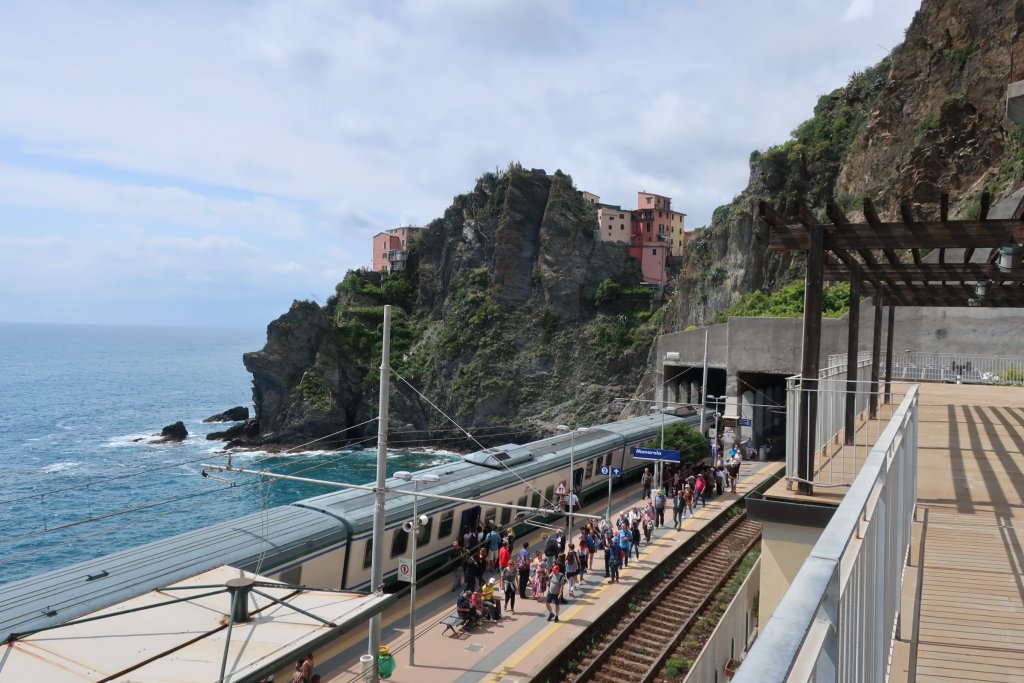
x=206 y=162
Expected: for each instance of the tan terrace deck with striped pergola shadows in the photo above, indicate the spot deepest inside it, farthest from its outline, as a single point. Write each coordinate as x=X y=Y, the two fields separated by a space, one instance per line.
x=964 y=590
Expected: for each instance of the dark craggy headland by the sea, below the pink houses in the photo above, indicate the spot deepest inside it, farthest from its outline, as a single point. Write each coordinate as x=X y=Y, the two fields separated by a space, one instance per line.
x=497 y=324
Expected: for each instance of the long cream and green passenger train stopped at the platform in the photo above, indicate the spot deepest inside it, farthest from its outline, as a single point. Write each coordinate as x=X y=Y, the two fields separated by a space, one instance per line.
x=325 y=542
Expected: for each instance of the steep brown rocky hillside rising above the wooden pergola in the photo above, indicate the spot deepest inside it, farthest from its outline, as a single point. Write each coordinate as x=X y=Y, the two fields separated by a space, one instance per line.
x=930 y=118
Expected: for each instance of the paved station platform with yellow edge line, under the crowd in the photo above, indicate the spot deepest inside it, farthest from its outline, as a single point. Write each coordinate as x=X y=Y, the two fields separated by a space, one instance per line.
x=522 y=645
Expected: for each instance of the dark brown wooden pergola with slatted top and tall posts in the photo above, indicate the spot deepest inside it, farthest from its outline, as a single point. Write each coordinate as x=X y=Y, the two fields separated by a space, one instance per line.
x=866 y=255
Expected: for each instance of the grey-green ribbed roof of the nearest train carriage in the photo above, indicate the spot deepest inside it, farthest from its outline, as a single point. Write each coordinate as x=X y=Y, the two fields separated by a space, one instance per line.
x=56 y=597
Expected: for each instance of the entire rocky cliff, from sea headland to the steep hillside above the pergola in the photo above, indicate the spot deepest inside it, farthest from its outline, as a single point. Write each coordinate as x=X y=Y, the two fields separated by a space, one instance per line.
x=511 y=319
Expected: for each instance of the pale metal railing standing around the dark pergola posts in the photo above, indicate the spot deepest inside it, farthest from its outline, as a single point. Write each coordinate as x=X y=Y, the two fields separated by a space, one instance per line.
x=836 y=462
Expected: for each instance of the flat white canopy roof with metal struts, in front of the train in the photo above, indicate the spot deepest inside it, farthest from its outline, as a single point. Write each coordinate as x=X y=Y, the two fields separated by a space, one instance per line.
x=186 y=641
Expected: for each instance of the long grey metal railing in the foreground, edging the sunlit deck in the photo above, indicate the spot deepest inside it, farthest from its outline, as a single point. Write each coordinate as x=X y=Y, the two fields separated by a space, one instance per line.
x=838 y=620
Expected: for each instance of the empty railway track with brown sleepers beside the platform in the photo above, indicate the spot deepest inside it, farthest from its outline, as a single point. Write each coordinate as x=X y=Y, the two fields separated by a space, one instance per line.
x=636 y=650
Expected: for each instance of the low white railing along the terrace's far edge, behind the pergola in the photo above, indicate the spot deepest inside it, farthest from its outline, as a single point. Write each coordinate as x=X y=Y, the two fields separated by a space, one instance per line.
x=915 y=367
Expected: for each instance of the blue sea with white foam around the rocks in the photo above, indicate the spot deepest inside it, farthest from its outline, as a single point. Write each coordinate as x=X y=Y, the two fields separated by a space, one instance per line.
x=81 y=479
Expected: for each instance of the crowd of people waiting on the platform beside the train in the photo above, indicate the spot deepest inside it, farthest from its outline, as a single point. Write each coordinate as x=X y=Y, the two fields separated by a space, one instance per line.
x=552 y=571
